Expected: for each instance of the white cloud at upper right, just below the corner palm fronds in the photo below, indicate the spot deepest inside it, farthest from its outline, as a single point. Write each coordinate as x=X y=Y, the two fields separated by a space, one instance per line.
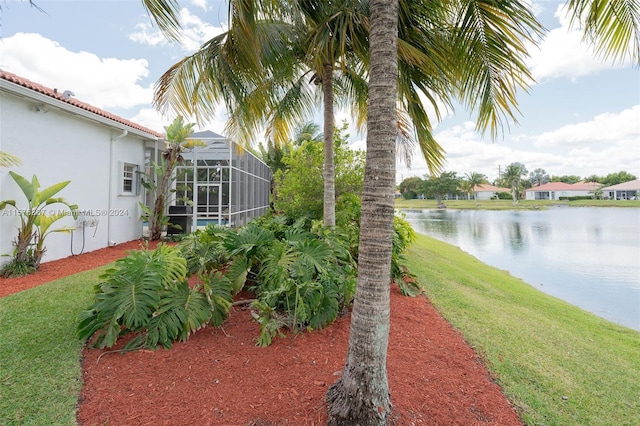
x=564 y=54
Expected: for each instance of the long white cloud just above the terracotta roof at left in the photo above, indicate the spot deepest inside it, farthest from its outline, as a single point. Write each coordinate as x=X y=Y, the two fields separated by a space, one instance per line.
x=102 y=82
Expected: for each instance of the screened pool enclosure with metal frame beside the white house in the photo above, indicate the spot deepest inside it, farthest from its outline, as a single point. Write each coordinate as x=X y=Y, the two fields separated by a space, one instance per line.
x=227 y=184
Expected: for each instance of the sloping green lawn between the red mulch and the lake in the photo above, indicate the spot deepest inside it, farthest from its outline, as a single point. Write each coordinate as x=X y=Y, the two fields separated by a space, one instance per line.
x=558 y=364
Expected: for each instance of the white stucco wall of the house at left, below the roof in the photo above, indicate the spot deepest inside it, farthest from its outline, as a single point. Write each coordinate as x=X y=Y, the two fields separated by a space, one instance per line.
x=57 y=146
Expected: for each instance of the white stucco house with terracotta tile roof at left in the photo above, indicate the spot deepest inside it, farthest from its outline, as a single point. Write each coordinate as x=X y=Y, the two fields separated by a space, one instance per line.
x=58 y=138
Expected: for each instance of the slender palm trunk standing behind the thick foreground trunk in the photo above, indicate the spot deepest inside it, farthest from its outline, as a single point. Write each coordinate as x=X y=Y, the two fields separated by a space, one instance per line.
x=329 y=216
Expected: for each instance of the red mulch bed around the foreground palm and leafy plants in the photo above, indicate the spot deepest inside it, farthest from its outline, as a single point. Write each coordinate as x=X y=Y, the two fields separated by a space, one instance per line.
x=220 y=377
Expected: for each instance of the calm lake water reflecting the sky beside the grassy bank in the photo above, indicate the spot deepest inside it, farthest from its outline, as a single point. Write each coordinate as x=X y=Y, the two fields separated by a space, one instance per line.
x=589 y=257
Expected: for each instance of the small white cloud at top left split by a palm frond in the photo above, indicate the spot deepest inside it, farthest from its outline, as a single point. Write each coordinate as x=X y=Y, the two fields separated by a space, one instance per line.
x=194 y=32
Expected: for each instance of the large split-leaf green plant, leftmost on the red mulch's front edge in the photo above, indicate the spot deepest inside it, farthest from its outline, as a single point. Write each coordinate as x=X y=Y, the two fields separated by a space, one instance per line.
x=147 y=293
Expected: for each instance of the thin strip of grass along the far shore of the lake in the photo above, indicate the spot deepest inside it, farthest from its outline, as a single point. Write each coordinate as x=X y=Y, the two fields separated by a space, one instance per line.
x=508 y=205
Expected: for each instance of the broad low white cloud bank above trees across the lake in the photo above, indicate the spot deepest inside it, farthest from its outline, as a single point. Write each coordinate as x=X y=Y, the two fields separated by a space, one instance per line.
x=608 y=143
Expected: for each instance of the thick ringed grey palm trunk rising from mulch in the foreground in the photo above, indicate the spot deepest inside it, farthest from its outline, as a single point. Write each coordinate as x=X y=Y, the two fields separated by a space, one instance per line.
x=361 y=396
